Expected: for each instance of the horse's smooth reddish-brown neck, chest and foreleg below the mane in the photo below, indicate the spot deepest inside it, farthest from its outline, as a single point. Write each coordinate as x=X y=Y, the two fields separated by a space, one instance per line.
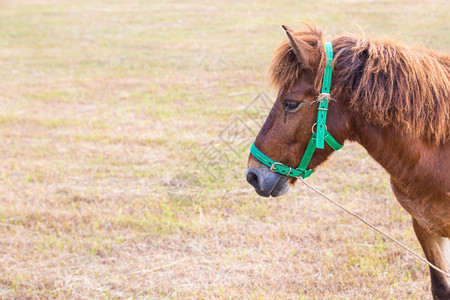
x=420 y=182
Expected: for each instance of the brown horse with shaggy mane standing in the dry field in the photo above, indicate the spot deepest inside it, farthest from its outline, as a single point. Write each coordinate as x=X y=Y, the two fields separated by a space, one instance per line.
x=390 y=98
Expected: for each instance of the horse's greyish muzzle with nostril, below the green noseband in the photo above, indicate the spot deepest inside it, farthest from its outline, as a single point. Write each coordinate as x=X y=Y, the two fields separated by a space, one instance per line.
x=266 y=182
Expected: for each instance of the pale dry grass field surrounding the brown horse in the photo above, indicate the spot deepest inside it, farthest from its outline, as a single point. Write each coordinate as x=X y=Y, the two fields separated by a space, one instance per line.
x=108 y=111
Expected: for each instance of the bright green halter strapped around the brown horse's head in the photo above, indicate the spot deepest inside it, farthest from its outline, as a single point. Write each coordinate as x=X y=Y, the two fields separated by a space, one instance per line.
x=317 y=139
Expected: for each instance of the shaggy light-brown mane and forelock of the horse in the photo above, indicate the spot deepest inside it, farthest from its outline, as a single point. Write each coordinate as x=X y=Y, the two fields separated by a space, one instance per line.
x=388 y=83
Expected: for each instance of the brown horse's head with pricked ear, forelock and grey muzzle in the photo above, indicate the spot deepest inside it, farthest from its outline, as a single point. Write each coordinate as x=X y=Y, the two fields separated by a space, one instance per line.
x=297 y=72
